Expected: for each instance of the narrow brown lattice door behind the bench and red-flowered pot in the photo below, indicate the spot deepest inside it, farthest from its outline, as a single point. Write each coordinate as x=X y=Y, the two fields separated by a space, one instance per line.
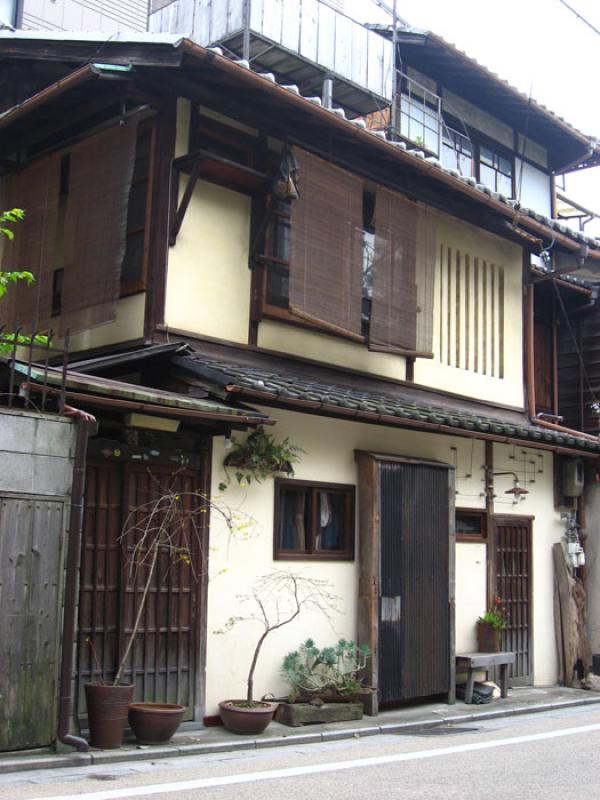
x=513 y=583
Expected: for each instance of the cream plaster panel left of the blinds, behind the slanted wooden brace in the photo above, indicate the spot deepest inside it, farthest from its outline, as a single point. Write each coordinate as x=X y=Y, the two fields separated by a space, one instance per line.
x=208 y=285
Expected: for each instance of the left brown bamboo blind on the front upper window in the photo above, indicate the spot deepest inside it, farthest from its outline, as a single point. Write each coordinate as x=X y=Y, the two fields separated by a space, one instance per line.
x=326 y=247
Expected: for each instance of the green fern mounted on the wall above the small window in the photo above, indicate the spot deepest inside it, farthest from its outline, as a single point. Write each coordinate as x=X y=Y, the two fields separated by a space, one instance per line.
x=260 y=456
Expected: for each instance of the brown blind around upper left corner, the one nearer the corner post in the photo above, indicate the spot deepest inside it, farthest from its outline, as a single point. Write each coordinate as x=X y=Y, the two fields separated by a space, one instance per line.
x=101 y=169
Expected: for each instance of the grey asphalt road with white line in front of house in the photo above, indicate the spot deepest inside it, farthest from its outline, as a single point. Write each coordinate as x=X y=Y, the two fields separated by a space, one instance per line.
x=537 y=756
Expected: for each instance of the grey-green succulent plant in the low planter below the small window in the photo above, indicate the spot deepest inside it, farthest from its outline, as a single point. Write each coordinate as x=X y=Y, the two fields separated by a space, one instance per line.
x=328 y=673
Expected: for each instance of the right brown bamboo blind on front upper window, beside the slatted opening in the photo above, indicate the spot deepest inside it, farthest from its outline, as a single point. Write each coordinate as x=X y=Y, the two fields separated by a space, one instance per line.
x=403 y=276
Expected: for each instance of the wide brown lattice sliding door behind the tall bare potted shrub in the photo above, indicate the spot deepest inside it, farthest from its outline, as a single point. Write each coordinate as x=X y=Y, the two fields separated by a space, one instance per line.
x=163 y=660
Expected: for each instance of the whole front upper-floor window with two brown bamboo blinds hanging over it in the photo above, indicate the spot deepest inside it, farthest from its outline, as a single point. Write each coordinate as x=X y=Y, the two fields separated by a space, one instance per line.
x=352 y=260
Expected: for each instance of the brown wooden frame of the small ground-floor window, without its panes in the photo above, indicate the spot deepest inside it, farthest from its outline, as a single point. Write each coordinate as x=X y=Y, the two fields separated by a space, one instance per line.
x=310 y=554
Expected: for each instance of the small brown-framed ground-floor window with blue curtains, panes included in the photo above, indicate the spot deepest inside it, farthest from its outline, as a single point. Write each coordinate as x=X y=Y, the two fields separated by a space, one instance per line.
x=313 y=520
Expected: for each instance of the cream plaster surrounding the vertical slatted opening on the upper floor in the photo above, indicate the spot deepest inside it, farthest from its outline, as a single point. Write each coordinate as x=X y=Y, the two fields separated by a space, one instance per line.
x=432 y=372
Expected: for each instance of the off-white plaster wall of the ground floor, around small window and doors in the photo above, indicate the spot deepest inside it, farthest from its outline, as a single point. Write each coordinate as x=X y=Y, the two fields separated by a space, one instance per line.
x=329 y=446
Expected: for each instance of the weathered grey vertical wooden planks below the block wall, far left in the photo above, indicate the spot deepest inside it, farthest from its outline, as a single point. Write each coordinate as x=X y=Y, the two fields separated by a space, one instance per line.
x=31 y=567
